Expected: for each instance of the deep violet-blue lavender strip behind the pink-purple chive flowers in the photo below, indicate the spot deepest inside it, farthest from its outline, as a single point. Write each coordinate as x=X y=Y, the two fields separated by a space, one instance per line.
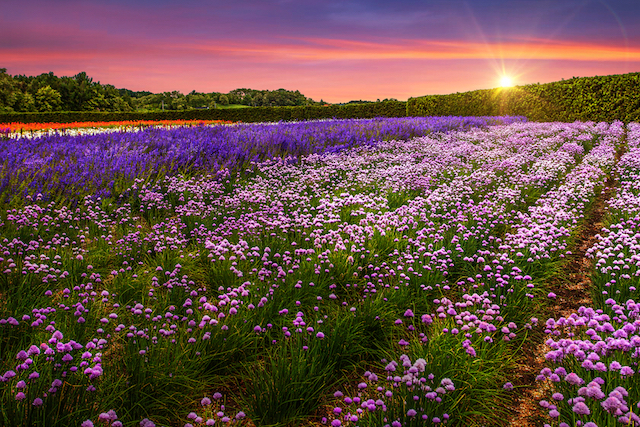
x=61 y=167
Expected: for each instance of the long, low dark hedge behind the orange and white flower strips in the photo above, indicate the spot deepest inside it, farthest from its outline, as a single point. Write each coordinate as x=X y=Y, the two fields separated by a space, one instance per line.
x=247 y=115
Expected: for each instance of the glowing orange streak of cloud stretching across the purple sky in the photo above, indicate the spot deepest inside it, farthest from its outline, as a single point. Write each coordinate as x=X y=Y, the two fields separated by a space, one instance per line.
x=325 y=49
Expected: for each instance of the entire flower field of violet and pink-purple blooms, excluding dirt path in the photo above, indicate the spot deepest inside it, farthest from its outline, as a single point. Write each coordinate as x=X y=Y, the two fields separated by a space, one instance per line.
x=344 y=273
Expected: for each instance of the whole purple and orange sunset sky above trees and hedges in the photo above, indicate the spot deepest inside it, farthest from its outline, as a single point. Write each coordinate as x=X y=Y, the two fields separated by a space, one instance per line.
x=331 y=50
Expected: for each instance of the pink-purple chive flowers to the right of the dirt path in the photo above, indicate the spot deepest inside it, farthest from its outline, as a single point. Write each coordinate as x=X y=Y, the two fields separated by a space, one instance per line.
x=593 y=357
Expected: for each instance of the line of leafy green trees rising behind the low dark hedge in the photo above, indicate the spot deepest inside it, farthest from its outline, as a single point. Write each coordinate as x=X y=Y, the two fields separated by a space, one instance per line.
x=47 y=93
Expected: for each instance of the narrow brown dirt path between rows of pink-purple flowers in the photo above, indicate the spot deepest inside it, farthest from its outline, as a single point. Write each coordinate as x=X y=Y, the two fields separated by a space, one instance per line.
x=572 y=286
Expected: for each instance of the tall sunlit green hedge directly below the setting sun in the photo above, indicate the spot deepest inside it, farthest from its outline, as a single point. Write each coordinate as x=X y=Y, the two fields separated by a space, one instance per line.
x=600 y=98
